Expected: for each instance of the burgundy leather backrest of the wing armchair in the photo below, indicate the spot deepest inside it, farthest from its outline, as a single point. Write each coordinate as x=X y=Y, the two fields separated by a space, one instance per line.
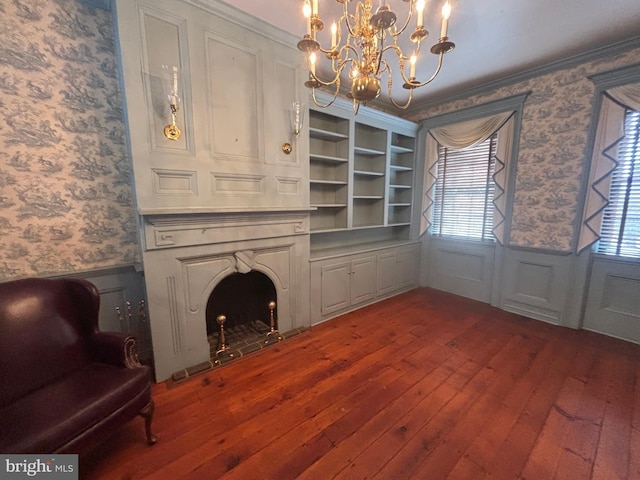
x=44 y=324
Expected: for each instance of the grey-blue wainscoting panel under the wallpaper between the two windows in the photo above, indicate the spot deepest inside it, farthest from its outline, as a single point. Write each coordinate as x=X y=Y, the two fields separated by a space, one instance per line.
x=536 y=284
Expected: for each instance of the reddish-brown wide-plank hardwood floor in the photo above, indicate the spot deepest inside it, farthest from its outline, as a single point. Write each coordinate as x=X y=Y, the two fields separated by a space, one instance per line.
x=425 y=385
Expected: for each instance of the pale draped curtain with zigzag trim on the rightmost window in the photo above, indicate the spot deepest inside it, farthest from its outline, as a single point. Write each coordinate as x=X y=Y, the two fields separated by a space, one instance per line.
x=610 y=132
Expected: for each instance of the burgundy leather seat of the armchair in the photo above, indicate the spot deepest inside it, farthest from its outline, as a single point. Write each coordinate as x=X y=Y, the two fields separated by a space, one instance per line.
x=59 y=412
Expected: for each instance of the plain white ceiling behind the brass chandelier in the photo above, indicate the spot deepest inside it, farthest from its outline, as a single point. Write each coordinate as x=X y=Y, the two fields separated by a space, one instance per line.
x=494 y=38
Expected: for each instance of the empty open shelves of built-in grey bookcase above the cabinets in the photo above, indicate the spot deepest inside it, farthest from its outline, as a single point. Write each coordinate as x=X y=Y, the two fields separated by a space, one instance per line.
x=361 y=174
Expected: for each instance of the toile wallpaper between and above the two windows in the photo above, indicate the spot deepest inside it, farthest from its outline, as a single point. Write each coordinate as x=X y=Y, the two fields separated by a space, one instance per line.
x=551 y=156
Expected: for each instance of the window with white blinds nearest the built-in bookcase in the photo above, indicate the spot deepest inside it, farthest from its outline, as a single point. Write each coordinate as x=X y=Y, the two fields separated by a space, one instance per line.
x=464 y=190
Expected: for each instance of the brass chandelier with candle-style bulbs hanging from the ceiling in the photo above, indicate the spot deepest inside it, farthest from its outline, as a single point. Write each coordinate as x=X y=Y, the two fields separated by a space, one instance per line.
x=360 y=41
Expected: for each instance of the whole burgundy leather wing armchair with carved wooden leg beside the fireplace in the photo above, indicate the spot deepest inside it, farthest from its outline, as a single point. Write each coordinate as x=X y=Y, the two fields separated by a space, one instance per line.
x=64 y=385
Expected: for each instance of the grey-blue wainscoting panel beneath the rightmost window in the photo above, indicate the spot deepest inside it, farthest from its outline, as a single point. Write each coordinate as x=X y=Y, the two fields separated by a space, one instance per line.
x=613 y=300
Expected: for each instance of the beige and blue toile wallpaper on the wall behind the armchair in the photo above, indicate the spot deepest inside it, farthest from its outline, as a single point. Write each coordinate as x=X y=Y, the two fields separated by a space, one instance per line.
x=65 y=195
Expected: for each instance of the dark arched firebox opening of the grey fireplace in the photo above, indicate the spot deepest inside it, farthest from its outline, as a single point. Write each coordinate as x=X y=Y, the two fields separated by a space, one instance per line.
x=243 y=298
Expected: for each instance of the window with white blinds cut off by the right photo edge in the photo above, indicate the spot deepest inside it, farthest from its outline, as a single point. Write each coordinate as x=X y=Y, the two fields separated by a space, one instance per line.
x=620 y=234
